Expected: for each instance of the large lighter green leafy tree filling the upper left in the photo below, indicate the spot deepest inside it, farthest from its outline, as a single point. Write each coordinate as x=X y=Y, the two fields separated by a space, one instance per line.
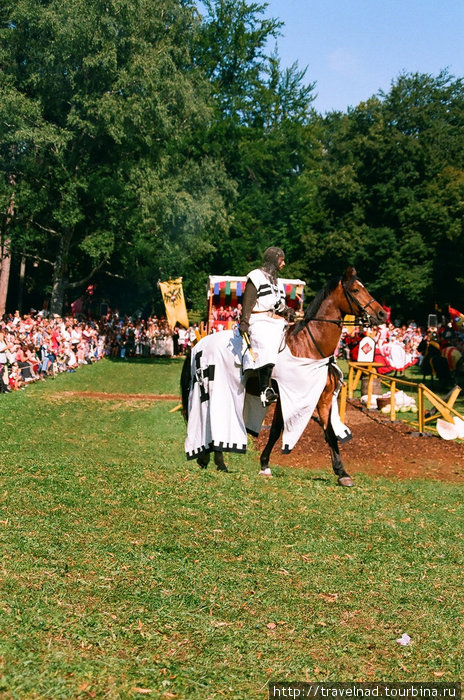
x=102 y=105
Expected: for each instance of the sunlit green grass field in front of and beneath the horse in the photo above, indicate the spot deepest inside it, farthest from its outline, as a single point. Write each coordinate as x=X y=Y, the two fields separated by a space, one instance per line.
x=127 y=571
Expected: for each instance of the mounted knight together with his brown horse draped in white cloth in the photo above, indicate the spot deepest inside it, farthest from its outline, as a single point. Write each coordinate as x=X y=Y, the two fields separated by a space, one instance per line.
x=220 y=407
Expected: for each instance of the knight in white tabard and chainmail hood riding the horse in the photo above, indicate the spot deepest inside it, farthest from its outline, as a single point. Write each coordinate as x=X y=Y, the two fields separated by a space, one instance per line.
x=264 y=320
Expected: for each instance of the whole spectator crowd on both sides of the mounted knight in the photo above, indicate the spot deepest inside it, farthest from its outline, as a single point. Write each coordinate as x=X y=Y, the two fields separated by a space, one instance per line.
x=35 y=346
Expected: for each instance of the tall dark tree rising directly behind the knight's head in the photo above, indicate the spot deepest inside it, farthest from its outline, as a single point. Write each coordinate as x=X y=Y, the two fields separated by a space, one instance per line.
x=262 y=128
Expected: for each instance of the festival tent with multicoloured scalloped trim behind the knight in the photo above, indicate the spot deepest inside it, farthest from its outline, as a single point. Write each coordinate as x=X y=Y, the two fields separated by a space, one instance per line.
x=225 y=291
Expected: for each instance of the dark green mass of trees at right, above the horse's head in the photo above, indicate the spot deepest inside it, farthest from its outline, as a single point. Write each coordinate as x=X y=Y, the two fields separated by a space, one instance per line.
x=384 y=194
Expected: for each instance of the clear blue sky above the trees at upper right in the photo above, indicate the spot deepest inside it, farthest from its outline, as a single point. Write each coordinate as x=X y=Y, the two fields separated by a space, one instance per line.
x=354 y=48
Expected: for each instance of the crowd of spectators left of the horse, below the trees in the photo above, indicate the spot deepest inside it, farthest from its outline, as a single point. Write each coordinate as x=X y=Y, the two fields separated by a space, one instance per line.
x=36 y=346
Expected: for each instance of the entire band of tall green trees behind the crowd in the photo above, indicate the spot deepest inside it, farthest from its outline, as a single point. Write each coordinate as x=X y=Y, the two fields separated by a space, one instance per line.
x=140 y=141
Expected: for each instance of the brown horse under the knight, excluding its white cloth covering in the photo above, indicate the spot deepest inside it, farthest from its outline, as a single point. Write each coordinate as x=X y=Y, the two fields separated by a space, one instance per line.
x=315 y=337
